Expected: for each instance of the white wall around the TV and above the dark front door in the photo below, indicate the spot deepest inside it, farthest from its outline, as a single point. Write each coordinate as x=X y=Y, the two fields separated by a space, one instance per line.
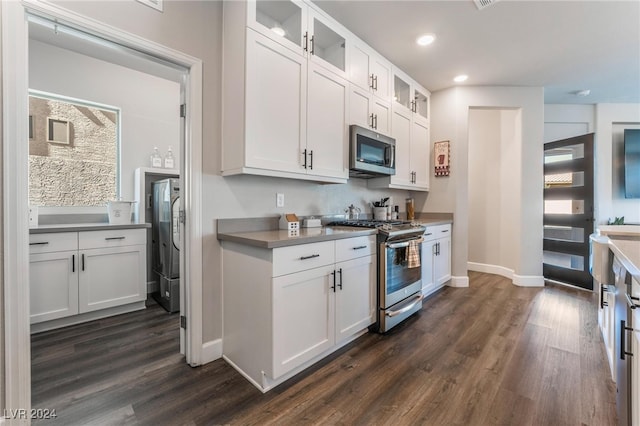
x=607 y=121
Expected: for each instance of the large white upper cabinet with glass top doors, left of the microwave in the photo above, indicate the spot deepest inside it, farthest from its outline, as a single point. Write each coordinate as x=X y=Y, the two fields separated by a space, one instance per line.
x=285 y=92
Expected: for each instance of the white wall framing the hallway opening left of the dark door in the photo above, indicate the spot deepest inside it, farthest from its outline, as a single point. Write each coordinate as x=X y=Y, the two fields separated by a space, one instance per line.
x=450 y=121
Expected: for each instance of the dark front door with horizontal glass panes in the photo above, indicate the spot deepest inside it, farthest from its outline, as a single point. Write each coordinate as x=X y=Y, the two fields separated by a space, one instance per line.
x=568 y=210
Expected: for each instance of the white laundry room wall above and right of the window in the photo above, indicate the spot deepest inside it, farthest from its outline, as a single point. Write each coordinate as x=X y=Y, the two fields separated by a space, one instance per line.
x=149 y=105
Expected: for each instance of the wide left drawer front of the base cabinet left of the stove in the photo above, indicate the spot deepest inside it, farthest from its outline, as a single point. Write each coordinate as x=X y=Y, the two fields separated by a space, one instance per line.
x=287 y=260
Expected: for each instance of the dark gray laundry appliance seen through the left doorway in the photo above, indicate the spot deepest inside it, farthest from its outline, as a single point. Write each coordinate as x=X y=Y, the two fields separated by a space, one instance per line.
x=165 y=242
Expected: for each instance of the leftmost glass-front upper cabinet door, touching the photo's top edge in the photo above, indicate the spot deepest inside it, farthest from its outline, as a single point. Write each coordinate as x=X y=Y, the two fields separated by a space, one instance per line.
x=284 y=21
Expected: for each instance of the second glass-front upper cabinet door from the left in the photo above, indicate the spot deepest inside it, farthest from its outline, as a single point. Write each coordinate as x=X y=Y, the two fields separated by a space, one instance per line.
x=327 y=45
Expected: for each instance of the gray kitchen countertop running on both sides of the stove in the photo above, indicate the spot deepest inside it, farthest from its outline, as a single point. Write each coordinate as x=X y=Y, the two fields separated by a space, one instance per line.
x=273 y=238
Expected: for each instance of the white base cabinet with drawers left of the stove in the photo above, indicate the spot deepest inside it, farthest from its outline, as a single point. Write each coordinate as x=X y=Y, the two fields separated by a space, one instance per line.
x=287 y=307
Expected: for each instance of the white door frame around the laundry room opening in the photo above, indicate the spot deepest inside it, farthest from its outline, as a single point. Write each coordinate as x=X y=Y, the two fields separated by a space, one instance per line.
x=15 y=263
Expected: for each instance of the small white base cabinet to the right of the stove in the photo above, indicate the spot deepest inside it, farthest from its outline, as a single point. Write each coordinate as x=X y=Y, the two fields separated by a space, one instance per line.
x=436 y=258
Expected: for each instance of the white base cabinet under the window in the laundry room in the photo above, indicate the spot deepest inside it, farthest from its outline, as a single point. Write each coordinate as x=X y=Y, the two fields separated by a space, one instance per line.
x=73 y=273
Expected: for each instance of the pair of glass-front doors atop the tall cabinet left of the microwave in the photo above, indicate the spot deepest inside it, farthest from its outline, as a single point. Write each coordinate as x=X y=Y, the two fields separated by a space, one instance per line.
x=301 y=28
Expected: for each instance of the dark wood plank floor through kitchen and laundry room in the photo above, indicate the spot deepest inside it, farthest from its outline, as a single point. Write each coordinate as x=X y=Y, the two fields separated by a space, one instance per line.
x=489 y=354
